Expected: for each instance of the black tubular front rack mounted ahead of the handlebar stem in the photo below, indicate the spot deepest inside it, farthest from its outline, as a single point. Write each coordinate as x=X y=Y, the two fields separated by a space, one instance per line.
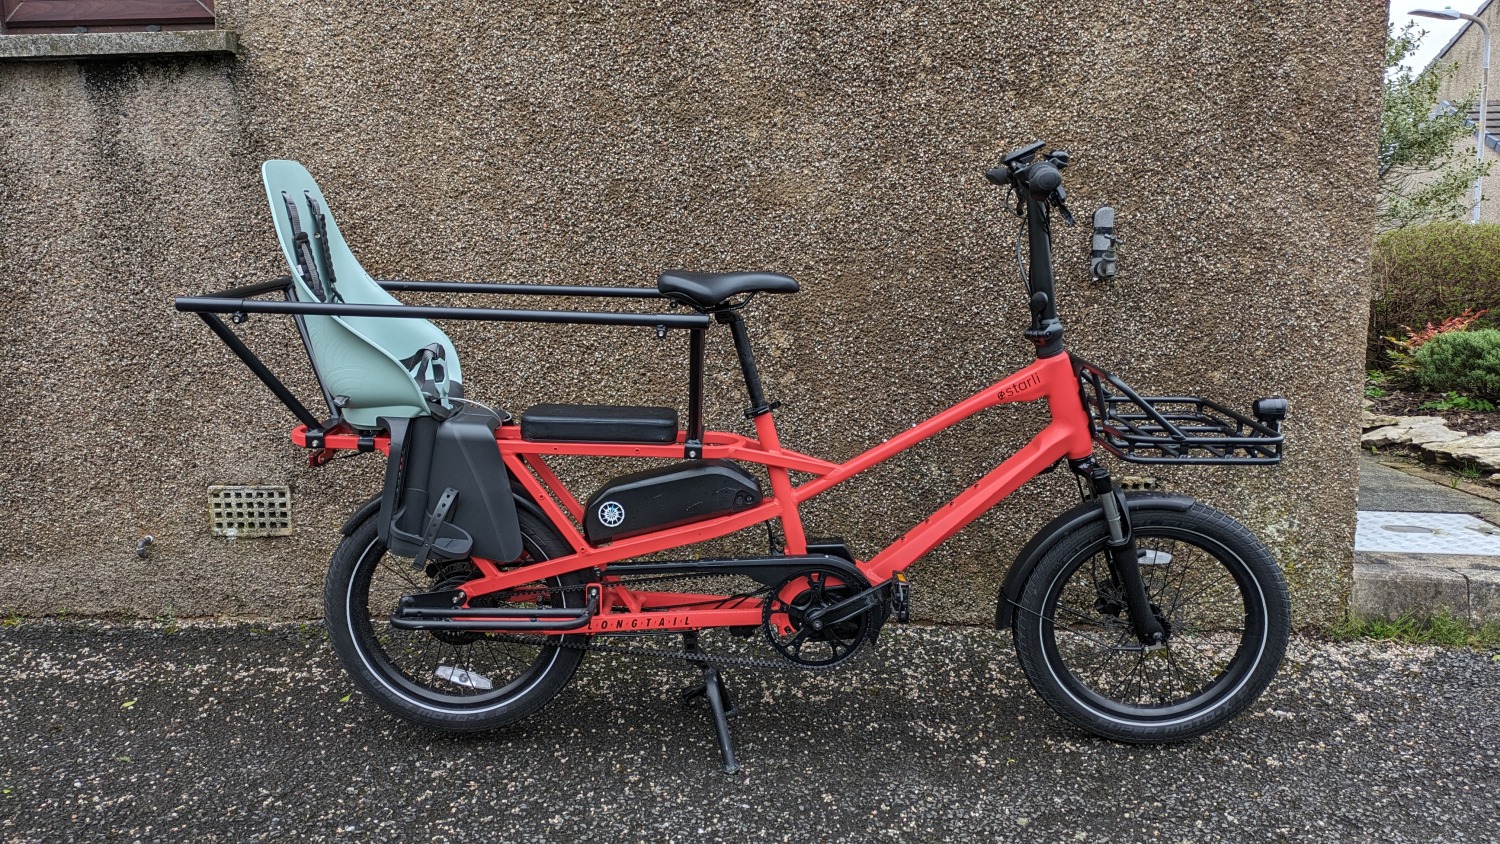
x=1177 y=429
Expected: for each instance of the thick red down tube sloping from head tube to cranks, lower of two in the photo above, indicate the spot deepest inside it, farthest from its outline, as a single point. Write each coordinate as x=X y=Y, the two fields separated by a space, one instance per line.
x=1043 y=450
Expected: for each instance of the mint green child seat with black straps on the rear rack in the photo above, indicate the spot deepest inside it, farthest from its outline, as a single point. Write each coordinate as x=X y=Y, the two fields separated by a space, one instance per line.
x=373 y=367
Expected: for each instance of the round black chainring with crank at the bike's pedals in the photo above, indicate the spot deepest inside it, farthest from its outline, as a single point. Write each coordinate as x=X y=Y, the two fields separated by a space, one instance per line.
x=787 y=609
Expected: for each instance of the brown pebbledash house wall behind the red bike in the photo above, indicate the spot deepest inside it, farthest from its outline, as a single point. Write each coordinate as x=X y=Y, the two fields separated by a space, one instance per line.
x=601 y=143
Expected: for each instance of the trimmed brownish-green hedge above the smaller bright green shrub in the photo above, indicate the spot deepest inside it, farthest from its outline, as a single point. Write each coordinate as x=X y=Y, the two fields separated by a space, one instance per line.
x=1427 y=274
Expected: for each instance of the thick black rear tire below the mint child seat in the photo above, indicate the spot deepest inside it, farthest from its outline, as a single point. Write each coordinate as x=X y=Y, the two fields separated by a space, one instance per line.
x=356 y=641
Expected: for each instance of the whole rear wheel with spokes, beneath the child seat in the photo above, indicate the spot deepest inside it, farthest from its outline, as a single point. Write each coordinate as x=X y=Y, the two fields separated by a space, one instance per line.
x=452 y=681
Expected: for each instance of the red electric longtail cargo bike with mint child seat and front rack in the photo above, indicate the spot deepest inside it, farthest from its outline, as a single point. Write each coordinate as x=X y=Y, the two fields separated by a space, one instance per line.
x=466 y=594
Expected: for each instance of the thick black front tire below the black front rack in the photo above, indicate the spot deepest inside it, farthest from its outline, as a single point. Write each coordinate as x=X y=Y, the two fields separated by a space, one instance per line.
x=1220 y=542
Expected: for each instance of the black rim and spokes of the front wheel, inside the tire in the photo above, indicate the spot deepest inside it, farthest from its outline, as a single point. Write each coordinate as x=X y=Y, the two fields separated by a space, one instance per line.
x=1210 y=603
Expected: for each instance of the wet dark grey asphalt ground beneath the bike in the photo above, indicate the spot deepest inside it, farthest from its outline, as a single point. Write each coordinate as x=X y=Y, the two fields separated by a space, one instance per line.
x=254 y=734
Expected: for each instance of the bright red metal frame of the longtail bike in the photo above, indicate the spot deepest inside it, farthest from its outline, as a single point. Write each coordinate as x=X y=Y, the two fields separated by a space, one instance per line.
x=623 y=609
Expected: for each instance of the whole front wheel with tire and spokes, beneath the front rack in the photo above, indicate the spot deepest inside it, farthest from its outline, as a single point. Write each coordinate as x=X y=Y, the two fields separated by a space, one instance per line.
x=1214 y=588
